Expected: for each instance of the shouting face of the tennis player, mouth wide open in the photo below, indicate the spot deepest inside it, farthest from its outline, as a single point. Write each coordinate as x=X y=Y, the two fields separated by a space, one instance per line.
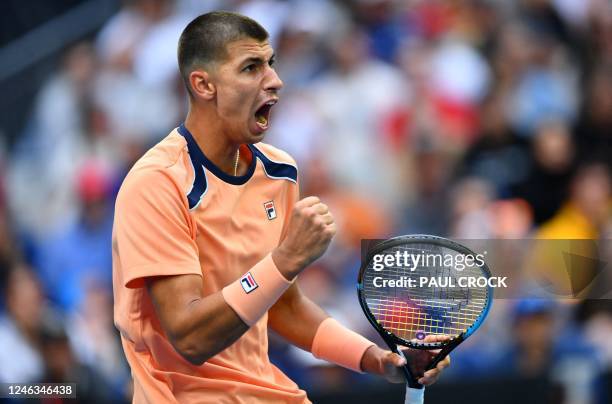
x=246 y=88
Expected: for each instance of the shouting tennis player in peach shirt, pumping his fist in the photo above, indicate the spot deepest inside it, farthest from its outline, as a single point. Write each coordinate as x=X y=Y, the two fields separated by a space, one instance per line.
x=209 y=238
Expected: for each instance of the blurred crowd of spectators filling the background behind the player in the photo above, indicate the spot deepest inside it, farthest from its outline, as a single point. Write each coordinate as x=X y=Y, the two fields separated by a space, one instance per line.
x=461 y=118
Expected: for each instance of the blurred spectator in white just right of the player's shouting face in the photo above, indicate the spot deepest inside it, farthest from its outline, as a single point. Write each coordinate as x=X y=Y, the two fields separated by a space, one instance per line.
x=352 y=107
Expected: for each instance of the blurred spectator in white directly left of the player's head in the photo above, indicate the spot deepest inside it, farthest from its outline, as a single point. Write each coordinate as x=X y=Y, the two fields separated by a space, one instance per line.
x=140 y=102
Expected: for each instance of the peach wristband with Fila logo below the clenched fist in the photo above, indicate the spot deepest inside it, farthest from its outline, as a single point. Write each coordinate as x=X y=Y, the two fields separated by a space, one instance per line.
x=252 y=295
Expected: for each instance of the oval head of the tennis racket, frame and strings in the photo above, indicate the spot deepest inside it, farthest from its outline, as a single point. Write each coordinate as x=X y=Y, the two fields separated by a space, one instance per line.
x=405 y=316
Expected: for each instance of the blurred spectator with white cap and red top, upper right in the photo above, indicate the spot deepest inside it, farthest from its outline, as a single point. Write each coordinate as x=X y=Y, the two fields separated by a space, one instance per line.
x=446 y=82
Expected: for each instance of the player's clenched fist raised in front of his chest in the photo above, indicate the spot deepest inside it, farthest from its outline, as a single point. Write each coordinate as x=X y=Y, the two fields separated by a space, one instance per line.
x=311 y=228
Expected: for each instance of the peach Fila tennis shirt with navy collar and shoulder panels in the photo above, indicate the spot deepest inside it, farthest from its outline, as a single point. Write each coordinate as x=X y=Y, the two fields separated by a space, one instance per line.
x=177 y=213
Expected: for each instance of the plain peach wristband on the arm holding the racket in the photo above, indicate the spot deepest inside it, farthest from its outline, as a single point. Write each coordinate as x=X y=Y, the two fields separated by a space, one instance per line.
x=337 y=344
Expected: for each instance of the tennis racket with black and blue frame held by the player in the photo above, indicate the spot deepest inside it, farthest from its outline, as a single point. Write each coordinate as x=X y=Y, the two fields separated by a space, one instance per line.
x=405 y=311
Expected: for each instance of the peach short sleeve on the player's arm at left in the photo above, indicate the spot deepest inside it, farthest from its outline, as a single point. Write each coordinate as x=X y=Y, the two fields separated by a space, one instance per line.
x=153 y=229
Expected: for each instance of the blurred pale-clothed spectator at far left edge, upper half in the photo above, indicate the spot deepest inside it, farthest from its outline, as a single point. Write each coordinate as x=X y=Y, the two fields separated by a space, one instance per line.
x=47 y=156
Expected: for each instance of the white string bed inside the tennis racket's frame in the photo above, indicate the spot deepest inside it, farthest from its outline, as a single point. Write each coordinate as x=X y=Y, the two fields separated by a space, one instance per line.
x=413 y=312
